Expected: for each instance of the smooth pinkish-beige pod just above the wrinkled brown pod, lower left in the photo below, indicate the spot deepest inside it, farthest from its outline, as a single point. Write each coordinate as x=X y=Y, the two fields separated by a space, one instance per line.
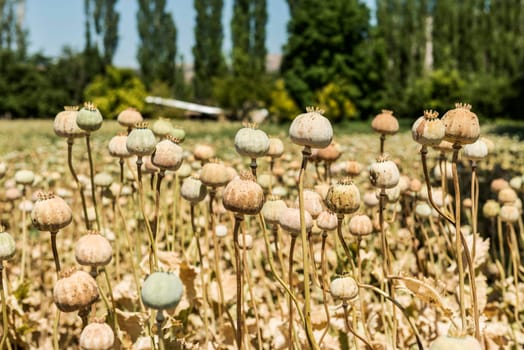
x=93 y=249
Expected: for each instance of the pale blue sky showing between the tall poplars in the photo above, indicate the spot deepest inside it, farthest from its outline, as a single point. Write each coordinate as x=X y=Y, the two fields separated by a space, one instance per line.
x=53 y=24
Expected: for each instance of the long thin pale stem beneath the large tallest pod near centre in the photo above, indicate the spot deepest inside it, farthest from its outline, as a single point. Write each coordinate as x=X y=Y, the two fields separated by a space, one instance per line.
x=306 y=153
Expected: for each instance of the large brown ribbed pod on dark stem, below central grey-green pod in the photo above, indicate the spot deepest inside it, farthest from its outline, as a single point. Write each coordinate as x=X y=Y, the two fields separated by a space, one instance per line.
x=243 y=195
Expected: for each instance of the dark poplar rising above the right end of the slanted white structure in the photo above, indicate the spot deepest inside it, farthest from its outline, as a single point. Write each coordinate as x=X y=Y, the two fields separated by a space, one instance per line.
x=207 y=51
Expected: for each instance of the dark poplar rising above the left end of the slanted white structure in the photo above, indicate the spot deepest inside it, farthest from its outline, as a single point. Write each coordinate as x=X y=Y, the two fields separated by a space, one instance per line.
x=157 y=48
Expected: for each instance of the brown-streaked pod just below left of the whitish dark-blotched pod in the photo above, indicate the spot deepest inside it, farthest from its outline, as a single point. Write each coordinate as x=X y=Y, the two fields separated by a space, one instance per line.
x=343 y=197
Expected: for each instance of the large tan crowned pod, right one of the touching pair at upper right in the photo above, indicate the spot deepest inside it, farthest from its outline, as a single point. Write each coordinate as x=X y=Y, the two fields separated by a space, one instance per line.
x=462 y=125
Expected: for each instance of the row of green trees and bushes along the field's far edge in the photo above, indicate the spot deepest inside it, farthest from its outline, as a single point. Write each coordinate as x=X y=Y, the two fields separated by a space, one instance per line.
x=404 y=55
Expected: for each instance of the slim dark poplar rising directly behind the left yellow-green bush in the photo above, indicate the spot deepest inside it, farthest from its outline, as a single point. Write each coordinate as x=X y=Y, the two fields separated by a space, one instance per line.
x=106 y=26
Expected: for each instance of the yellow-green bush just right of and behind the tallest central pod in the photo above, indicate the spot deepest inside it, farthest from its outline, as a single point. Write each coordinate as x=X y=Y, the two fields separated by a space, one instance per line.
x=334 y=100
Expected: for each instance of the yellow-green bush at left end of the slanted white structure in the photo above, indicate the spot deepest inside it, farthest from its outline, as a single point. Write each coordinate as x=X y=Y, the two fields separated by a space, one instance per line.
x=116 y=90
